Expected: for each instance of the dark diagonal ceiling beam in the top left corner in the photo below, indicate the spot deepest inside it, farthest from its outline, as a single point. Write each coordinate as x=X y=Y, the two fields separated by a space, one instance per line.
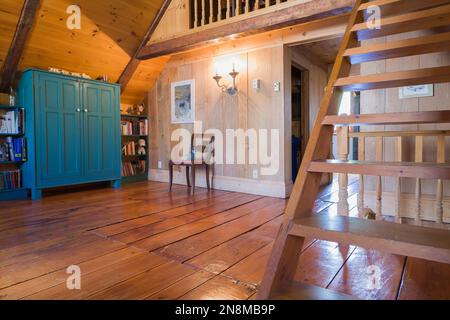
x=23 y=30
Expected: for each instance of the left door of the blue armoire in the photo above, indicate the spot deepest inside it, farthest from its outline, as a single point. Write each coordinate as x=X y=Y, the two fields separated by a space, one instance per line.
x=58 y=131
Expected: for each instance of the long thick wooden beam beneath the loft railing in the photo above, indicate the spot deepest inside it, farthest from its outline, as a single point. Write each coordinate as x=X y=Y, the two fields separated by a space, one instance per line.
x=282 y=18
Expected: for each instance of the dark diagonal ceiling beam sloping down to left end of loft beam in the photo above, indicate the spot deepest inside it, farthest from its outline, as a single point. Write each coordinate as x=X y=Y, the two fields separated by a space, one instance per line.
x=132 y=66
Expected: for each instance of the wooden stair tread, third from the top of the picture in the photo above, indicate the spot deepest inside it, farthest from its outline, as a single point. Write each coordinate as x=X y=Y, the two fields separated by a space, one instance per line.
x=402 y=48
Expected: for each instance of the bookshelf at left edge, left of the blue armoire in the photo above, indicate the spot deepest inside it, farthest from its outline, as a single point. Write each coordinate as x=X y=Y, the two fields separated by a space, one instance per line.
x=12 y=152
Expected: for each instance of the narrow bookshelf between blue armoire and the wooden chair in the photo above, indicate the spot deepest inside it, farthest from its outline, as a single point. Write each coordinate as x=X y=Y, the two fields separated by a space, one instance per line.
x=134 y=165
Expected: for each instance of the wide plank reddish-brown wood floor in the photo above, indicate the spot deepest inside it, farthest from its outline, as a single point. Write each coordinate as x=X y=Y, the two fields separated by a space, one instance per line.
x=142 y=242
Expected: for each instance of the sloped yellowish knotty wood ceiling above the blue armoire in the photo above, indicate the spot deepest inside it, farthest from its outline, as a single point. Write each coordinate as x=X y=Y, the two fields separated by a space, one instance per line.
x=111 y=31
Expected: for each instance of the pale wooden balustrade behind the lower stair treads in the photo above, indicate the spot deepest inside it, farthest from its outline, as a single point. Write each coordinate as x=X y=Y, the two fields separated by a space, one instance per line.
x=416 y=203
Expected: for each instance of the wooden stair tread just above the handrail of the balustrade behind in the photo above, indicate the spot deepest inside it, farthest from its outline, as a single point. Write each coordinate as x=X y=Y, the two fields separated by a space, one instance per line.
x=395 y=118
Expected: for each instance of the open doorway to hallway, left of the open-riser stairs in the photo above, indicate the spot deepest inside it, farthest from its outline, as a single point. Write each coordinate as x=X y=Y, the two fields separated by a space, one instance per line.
x=307 y=67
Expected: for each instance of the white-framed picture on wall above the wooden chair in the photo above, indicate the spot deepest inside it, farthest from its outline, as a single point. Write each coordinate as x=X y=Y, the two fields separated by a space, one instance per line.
x=183 y=101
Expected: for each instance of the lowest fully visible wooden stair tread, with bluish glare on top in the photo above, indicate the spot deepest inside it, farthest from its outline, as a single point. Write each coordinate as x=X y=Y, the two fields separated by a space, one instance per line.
x=413 y=241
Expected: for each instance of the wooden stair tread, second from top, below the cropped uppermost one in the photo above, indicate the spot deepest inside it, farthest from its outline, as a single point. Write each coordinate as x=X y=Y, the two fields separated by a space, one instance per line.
x=425 y=19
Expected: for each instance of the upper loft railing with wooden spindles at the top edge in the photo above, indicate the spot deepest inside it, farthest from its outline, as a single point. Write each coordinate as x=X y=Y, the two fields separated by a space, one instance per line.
x=206 y=12
